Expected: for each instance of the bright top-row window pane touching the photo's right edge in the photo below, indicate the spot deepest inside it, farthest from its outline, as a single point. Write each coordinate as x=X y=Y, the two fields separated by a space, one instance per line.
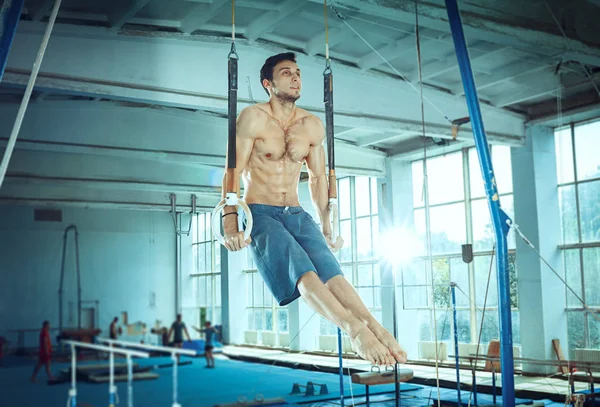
x=587 y=137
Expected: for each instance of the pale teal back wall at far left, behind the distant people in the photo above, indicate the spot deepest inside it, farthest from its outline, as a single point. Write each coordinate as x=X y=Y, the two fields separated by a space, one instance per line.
x=126 y=258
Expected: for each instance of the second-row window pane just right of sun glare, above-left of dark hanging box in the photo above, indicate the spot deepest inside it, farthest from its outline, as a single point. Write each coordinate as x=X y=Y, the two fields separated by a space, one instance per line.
x=447 y=228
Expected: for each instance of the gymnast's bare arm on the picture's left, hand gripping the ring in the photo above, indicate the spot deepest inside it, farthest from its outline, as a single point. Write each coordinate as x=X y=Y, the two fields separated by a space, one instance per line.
x=245 y=136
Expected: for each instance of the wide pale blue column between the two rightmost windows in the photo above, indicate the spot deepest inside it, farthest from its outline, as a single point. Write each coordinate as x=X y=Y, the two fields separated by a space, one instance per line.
x=541 y=294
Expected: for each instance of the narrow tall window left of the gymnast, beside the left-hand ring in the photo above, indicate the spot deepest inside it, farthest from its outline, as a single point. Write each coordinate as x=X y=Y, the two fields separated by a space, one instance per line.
x=202 y=299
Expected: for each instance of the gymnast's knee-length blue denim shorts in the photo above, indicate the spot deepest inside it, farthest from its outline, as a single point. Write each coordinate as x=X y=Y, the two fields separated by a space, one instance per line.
x=287 y=243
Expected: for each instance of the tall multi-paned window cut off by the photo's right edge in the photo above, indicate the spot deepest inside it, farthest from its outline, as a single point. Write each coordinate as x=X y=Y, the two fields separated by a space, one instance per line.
x=578 y=172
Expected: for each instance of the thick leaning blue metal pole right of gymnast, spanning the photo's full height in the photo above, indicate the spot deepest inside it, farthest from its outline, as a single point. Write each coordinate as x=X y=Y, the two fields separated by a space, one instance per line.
x=498 y=216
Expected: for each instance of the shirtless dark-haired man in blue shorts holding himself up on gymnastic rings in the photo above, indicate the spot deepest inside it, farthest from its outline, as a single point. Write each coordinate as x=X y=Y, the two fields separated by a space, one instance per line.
x=273 y=140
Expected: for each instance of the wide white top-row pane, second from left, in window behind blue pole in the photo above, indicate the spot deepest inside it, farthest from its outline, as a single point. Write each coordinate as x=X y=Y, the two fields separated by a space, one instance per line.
x=445 y=179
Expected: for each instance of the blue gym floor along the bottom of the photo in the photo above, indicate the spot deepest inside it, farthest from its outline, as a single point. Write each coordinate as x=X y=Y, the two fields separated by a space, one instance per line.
x=233 y=380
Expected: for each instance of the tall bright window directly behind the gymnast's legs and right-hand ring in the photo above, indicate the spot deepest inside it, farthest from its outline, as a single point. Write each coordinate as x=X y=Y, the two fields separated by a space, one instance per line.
x=359 y=227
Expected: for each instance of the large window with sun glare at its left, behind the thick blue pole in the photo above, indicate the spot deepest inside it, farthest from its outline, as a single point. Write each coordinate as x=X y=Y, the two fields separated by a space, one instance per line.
x=457 y=213
